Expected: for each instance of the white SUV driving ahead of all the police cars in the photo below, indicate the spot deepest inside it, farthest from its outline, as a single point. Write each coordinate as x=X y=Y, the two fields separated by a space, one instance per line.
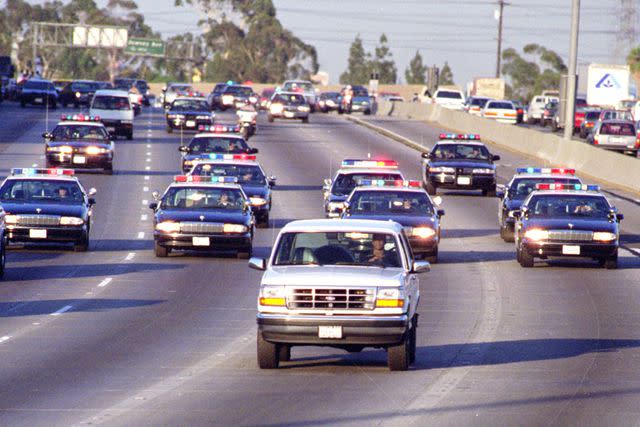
x=345 y=283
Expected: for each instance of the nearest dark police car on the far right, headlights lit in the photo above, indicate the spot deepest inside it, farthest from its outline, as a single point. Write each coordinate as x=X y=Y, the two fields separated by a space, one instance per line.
x=567 y=220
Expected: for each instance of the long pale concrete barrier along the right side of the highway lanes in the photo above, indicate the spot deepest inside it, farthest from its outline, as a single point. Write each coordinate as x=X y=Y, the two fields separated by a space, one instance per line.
x=608 y=166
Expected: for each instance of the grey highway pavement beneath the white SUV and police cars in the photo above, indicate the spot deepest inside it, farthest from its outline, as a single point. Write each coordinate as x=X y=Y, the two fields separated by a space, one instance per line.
x=172 y=341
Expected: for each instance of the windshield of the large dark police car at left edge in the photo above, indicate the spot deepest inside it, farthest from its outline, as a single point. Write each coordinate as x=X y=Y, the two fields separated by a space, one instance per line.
x=41 y=191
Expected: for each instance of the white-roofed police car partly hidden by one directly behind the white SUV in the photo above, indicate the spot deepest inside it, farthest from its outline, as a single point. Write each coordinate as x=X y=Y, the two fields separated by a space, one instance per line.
x=336 y=191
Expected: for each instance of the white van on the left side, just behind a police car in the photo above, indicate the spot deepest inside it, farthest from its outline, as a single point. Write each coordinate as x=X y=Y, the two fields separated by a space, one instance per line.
x=115 y=111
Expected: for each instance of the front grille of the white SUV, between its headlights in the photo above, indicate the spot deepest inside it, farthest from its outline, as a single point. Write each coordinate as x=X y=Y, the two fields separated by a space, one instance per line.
x=331 y=298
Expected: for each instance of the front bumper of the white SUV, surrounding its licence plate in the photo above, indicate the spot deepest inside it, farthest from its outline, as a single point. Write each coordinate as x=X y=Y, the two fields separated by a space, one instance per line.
x=356 y=330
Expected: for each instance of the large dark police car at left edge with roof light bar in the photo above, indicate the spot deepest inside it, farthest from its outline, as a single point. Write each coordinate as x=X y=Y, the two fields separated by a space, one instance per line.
x=46 y=206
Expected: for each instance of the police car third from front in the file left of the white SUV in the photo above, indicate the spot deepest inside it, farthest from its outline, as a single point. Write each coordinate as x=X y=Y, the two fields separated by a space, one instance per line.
x=218 y=139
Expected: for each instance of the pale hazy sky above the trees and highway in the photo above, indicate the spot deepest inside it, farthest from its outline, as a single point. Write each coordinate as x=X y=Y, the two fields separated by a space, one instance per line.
x=462 y=32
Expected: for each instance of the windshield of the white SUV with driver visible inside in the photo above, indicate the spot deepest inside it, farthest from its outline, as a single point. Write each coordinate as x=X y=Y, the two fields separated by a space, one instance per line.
x=338 y=248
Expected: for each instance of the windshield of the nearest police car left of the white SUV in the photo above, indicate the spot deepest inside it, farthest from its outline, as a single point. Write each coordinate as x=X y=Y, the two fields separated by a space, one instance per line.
x=193 y=198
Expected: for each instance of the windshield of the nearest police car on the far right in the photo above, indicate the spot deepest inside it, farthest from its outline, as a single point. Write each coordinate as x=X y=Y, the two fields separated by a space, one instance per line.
x=569 y=206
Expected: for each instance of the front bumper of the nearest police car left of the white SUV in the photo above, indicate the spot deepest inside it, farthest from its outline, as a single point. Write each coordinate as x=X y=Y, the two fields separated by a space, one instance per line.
x=204 y=241
